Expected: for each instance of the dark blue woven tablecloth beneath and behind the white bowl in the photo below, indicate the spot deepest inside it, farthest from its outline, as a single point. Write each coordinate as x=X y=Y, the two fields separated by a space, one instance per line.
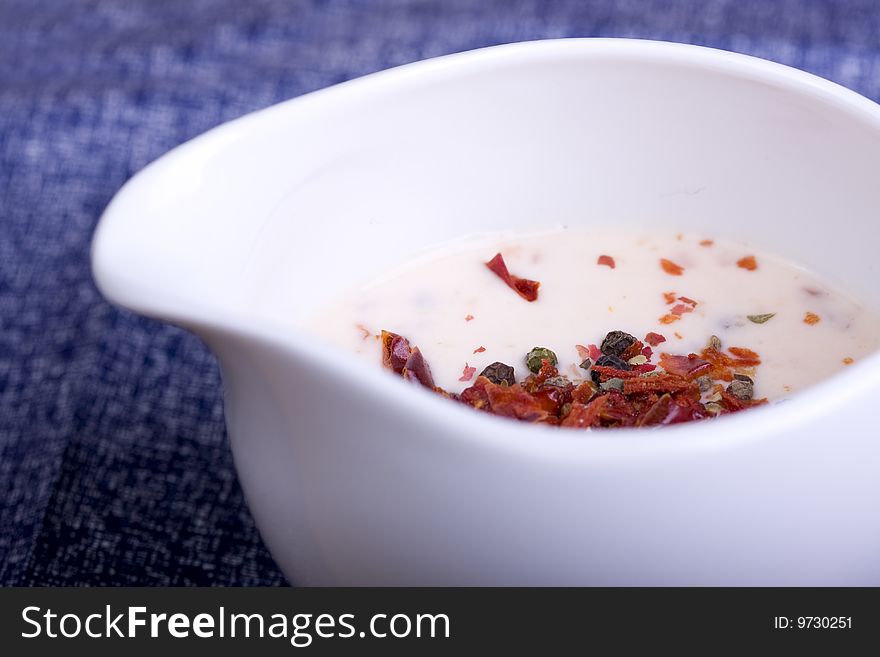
x=114 y=465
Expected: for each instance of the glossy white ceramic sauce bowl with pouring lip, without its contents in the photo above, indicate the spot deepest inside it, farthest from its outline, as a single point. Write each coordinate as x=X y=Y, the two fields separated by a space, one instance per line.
x=356 y=478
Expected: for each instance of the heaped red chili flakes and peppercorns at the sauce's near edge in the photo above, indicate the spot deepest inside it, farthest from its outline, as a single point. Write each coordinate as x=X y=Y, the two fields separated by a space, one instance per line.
x=623 y=387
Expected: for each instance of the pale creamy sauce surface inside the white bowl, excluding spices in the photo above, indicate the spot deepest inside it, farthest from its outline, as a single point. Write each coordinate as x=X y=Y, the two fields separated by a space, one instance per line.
x=449 y=304
